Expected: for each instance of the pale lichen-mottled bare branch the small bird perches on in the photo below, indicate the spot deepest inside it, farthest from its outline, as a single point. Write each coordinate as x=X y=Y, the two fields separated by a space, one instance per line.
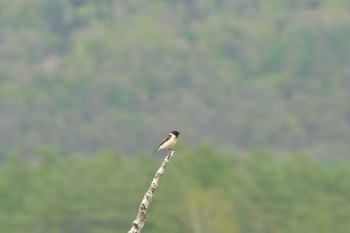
x=140 y=219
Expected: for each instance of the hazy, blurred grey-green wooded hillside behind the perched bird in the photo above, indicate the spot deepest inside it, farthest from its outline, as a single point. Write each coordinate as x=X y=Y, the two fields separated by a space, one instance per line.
x=84 y=76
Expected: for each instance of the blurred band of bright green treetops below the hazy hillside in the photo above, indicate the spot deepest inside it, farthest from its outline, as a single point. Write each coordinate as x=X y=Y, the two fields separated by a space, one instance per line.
x=202 y=190
